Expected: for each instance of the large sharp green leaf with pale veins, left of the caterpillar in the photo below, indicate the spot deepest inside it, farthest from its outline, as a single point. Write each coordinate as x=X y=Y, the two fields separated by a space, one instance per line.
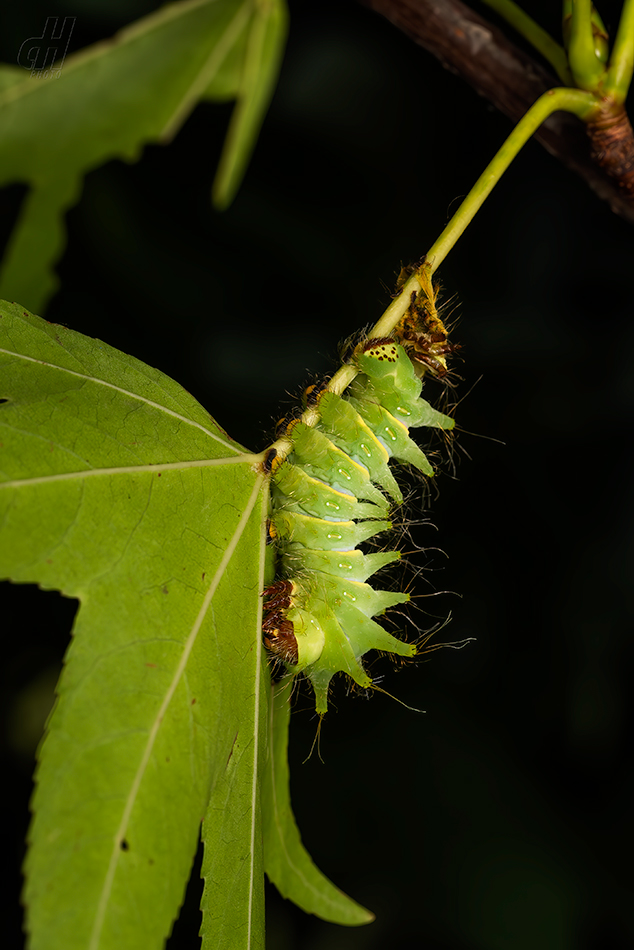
x=119 y=489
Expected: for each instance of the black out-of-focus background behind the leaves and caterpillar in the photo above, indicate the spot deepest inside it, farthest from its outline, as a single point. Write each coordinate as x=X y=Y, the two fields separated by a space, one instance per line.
x=502 y=818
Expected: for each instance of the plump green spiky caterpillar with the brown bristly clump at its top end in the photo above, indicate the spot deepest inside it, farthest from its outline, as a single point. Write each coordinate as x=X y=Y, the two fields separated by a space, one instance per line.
x=331 y=490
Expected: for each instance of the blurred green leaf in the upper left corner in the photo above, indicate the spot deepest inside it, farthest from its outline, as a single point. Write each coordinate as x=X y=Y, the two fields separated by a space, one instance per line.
x=114 y=97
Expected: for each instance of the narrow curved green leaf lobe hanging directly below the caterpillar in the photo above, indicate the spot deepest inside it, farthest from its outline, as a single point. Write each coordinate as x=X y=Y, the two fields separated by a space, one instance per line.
x=286 y=861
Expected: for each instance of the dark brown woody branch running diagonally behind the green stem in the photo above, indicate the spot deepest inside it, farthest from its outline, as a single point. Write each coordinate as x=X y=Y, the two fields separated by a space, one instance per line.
x=511 y=80
